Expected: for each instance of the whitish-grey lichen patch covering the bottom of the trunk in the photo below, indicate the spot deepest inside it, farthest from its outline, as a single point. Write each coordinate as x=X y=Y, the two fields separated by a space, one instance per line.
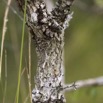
x=50 y=91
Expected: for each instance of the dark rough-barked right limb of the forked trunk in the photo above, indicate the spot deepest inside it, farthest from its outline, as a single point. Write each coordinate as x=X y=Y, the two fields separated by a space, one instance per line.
x=62 y=11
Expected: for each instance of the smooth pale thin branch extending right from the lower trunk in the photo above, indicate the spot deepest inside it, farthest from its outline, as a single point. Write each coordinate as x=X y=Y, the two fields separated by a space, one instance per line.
x=85 y=83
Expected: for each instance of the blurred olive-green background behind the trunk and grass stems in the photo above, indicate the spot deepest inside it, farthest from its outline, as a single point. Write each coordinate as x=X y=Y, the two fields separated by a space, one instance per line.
x=83 y=52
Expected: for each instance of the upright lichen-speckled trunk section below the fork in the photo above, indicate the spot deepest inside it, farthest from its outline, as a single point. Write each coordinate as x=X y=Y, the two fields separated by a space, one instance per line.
x=50 y=70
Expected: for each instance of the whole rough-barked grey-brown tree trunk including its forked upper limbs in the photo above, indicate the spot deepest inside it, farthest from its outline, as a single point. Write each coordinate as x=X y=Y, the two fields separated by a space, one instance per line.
x=47 y=29
